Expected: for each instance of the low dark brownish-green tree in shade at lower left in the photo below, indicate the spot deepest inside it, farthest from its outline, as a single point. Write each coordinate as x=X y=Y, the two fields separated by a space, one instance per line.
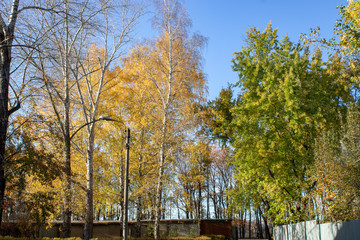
x=31 y=175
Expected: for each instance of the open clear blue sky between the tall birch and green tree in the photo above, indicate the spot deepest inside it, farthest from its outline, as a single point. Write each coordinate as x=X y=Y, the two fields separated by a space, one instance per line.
x=224 y=23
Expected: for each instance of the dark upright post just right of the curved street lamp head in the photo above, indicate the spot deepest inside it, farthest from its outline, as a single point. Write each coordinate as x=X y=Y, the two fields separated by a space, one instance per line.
x=126 y=193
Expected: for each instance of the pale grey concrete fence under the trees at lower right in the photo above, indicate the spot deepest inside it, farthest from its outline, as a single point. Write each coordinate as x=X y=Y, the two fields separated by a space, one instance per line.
x=310 y=230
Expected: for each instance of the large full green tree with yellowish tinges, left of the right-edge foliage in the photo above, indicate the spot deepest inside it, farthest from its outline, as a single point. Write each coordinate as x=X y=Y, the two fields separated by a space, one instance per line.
x=288 y=96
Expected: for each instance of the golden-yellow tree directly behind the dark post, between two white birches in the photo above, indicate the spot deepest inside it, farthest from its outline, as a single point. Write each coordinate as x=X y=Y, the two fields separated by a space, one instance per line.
x=134 y=103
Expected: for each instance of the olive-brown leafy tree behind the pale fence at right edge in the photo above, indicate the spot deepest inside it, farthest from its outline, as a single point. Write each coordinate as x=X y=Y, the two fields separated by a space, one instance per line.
x=336 y=170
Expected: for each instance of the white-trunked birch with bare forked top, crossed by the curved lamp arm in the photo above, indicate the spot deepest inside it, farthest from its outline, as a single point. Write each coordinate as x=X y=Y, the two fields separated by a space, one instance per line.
x=96 y=75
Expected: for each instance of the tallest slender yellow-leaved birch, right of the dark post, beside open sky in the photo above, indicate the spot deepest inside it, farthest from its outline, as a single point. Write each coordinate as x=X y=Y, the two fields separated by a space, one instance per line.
x=180 y=53
